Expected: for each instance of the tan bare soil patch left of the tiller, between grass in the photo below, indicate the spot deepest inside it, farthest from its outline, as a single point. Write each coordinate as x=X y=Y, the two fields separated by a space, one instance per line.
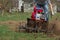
x=13 y=25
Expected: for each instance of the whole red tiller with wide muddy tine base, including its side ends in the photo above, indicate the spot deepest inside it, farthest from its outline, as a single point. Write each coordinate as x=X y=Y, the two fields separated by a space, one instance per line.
x=37 y=22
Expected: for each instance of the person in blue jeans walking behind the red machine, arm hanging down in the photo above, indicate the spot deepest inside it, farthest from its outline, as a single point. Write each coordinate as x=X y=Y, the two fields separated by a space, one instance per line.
x=45 y=4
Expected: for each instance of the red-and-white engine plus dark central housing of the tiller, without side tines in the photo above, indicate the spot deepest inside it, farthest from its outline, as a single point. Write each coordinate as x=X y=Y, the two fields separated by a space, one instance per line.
x=37 y=21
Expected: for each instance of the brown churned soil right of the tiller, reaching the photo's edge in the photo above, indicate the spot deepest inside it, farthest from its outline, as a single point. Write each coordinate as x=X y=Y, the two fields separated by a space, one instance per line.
x=54 y=26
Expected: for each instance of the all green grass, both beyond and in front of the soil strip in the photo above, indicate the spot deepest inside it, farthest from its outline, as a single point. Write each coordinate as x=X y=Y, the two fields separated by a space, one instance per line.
x=7 y=34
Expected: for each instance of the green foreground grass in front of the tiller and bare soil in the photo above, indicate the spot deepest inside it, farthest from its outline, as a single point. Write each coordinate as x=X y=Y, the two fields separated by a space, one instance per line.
x=6 y=34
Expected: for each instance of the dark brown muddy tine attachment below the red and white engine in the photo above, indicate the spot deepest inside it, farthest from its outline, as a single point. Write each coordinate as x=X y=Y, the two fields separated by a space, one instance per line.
x=34 y=26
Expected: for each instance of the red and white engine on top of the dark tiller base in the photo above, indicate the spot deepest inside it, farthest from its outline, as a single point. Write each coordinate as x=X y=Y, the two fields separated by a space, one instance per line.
x=38 y=14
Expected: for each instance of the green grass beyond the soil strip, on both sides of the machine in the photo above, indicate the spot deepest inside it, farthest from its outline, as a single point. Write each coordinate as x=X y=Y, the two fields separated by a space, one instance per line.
x=21 y=16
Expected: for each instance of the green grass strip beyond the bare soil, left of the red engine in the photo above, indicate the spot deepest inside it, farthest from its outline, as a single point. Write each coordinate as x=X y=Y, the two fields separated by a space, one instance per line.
x=15 y=16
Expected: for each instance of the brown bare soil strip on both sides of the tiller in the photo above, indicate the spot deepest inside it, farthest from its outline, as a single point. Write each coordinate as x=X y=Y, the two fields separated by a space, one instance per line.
x=13 y=25
